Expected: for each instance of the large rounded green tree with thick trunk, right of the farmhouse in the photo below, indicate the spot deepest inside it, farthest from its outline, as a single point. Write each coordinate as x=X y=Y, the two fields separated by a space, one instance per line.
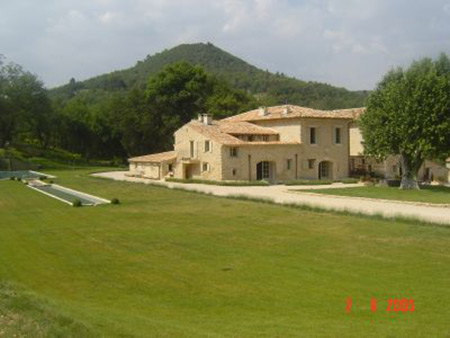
x=409 y=115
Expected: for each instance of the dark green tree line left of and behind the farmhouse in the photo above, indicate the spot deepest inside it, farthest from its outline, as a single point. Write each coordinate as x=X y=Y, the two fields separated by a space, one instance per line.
x=124 y=123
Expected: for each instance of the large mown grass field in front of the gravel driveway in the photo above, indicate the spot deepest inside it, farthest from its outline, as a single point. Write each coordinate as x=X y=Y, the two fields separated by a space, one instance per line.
x=168 y=263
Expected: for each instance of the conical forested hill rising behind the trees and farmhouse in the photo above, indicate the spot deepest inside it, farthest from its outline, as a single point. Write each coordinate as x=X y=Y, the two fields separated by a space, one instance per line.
x=266 y=87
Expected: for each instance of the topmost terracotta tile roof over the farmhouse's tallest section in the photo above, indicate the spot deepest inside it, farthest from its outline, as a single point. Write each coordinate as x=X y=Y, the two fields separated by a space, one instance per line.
x=290 y=111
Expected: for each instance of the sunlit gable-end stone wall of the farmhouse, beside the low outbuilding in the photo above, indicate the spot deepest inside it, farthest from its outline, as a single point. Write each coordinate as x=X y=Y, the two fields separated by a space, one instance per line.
x=203 y=164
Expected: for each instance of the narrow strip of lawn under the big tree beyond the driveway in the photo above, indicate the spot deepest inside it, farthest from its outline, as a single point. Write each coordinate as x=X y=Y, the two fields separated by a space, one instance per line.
x=428 y=194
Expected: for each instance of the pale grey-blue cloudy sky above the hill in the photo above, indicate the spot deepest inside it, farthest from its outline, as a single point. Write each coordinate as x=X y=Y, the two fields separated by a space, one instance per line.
x=349 y=43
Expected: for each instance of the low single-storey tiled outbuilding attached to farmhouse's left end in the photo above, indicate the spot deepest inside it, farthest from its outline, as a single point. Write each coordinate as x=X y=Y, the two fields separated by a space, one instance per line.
x=154 y=166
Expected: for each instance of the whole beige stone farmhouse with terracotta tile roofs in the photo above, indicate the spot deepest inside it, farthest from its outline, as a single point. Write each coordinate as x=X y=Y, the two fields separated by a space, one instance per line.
x=274 y=144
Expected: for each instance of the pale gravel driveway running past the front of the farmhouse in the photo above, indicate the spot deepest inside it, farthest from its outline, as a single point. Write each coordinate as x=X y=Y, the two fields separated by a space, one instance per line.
x=281 y=194
